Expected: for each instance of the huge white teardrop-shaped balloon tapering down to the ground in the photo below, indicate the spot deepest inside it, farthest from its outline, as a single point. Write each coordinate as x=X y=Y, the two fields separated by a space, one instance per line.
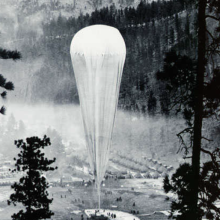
x=98 y=55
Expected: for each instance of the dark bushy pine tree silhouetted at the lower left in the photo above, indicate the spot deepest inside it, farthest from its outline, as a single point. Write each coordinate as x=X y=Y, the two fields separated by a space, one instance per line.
x=31 y=188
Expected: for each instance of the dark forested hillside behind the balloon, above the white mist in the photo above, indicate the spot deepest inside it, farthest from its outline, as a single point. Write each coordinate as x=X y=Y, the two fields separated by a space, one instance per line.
x=150 y=30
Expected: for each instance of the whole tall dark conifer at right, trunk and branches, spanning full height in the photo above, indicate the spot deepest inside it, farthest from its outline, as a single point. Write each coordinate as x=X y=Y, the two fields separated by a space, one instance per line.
x=203 y=103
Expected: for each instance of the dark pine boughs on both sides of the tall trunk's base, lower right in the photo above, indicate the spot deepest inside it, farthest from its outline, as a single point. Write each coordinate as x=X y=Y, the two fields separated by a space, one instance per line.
x=209 y=192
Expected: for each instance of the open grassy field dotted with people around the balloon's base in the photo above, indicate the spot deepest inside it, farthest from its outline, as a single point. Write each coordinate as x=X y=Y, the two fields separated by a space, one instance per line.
x=147 y=194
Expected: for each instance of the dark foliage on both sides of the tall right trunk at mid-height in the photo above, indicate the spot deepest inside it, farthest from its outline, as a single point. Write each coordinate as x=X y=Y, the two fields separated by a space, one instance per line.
x=178 y=78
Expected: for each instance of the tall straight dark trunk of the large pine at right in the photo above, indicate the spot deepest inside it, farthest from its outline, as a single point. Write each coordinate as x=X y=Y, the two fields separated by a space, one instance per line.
x=198 y=107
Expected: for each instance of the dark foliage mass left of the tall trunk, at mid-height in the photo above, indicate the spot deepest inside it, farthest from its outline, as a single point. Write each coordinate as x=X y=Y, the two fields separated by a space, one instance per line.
x=178 y=77
